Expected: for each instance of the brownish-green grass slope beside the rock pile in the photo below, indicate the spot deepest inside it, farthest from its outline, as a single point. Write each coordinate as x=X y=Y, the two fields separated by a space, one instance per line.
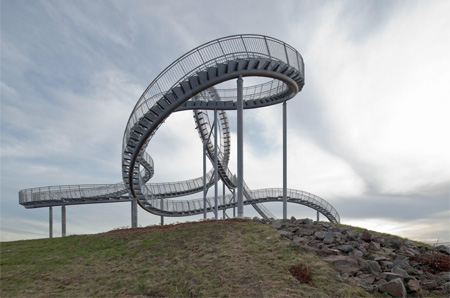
x=232 y=258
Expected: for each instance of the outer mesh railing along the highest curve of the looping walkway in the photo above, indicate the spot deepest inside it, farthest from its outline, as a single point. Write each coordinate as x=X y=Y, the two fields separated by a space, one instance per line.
x=210 y=54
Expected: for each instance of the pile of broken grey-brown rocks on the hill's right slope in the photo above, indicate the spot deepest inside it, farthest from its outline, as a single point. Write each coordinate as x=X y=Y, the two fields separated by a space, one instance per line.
x=373 y=261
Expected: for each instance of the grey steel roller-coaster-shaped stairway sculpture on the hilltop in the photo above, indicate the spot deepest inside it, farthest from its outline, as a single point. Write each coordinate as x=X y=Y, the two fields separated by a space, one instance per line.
x=189 y=84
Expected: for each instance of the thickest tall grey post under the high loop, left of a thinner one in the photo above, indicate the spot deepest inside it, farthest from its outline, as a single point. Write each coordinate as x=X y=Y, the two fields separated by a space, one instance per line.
x=240 y=145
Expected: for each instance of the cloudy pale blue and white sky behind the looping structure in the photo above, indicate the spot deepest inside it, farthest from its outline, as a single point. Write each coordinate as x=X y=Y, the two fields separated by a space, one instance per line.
x=368 y=132
